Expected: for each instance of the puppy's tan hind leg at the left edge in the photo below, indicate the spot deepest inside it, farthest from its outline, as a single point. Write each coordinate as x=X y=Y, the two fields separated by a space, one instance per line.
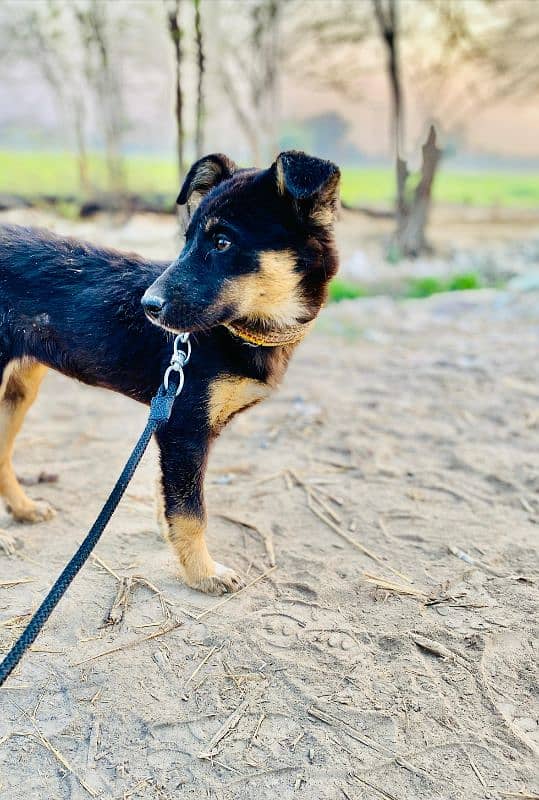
x=18 y=391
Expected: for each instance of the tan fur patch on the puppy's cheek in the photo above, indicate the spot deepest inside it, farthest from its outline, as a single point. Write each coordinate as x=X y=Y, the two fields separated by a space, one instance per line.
x=271 y=294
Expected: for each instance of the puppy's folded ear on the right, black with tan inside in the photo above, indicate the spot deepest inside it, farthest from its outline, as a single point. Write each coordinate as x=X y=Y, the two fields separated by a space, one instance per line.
x=312 y=183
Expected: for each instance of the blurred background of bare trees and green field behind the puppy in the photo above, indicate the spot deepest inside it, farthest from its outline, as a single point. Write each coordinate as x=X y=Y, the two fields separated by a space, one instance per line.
x=430 y=107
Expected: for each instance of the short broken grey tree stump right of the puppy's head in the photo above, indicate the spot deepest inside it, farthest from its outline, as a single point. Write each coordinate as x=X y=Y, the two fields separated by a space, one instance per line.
x=410 y=235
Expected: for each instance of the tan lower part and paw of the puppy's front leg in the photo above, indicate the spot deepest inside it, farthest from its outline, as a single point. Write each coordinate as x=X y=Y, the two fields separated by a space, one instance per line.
x=186 y=534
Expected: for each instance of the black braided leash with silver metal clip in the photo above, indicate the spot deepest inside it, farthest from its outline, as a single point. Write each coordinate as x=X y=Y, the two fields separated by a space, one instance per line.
x=160 y=411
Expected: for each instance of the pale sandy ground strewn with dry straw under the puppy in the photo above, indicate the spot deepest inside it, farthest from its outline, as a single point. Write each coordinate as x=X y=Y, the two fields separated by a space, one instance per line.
x=391 y=653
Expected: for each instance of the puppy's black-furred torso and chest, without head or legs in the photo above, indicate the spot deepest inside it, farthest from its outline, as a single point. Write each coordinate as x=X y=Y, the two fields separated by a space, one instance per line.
x=76 y=308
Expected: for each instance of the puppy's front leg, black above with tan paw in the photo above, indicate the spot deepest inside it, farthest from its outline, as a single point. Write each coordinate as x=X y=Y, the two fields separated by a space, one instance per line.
x=183 y=466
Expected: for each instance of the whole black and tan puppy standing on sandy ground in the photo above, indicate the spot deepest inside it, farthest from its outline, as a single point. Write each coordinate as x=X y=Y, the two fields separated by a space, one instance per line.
x=253 y=274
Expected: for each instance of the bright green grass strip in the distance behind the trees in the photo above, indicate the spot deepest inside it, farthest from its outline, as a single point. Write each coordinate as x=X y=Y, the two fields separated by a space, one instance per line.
x=38 y=173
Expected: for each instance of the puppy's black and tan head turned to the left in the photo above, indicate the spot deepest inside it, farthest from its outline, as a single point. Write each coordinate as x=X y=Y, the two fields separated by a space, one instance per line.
x=259 y=246
